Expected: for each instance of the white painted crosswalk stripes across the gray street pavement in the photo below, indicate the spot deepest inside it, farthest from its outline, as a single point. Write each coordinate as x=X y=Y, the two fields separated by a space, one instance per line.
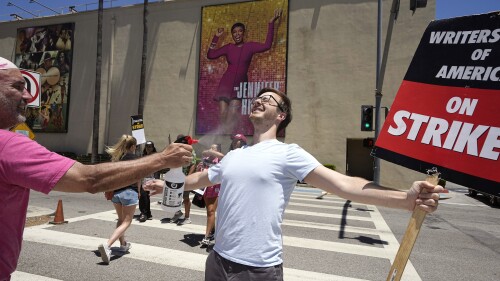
x=329 y=208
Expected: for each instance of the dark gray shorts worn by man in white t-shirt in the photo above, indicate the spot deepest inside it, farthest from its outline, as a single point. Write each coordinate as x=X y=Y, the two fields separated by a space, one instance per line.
x=218 y=268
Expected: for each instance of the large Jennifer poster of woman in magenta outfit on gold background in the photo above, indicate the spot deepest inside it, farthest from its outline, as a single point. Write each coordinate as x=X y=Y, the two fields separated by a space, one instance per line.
x=243 y=49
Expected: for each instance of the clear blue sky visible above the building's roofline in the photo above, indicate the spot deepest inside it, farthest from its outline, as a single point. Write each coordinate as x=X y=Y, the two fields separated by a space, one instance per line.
x=444 y=8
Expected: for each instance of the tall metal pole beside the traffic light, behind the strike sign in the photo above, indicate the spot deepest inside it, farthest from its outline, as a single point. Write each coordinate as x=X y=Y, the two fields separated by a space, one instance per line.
x=380 y=76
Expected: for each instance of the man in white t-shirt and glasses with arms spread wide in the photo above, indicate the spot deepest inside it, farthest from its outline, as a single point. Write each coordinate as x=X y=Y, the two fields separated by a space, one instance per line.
x=256 y=184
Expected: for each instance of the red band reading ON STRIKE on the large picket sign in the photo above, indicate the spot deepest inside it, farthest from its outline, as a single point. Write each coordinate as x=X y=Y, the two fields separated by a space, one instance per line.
x=456 y=128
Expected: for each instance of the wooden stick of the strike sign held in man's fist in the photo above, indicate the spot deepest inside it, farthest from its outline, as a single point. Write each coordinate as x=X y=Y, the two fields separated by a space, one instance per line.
x=410 y=236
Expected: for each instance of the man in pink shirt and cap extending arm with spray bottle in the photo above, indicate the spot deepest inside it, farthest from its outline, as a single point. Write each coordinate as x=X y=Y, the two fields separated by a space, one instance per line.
x=25 y=165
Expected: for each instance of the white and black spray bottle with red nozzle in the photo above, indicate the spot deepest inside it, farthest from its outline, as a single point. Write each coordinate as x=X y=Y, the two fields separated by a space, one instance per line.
x=174 y=184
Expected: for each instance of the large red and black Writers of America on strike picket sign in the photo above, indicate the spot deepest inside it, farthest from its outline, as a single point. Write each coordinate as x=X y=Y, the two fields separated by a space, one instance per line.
x=446 y=113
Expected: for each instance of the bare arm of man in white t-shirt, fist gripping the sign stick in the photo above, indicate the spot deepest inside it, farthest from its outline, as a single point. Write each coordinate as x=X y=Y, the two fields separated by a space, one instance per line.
x=421 y=194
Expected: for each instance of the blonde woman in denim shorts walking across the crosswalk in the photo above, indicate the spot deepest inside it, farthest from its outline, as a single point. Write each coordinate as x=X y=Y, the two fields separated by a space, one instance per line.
x=124 y=200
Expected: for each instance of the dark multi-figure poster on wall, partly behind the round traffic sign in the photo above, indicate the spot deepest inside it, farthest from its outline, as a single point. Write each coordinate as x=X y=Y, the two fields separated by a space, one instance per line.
x=48 y=51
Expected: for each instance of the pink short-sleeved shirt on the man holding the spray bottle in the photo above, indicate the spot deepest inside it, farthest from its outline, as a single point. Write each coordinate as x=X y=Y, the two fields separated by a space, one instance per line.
x=24 y=165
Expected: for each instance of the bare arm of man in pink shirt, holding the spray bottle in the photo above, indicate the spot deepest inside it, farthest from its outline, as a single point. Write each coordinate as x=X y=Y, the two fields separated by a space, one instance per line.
x=110 y=176
